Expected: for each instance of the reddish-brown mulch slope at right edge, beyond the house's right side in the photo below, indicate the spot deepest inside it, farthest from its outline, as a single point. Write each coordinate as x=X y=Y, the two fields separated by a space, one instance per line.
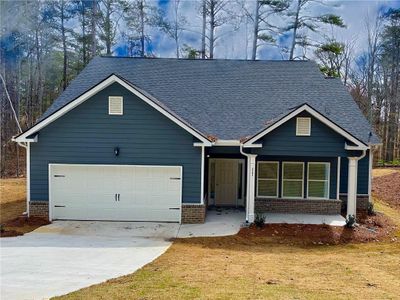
x=387 y=188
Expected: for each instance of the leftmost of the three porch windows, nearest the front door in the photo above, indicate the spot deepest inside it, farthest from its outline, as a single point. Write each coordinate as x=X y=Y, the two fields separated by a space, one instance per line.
x=267 y=179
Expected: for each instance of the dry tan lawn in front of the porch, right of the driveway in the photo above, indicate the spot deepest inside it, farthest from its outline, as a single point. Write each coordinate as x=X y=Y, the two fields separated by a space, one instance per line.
x=238 y=267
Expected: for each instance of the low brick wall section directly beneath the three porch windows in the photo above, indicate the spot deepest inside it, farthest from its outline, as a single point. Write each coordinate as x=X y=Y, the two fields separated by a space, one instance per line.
x=298 y=206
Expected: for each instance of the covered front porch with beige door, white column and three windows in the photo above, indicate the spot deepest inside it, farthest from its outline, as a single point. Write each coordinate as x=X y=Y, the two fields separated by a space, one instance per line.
x=305 y=189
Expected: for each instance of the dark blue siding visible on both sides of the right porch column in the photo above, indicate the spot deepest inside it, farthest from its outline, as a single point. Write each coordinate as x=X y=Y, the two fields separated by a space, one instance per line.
x=362 y=175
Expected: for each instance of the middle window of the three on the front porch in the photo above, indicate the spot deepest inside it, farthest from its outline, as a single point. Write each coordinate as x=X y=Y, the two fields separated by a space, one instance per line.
x=292 y=180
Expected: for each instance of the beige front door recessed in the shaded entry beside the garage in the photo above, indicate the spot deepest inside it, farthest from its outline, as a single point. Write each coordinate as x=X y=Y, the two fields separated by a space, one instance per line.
x=226 y=182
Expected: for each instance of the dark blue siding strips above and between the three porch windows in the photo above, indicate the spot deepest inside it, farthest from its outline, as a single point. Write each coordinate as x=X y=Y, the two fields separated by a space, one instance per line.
x=332 y=175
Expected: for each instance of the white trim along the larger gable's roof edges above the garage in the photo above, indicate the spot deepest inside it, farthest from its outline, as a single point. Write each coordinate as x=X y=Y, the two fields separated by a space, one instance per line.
x=102 y=85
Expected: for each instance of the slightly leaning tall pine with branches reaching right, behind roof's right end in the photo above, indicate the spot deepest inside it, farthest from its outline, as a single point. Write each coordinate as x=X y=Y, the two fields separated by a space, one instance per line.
x=302 y=20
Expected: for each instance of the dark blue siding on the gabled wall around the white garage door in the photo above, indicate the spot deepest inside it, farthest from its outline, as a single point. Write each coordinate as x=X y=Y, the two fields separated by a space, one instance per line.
x=88 y=135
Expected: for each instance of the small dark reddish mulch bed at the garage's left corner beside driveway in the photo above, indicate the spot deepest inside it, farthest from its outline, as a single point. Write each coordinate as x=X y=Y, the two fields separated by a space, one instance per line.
x=17 y=226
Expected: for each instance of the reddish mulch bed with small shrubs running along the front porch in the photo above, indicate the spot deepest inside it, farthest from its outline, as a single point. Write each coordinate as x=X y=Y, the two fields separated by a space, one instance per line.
x=370 y=229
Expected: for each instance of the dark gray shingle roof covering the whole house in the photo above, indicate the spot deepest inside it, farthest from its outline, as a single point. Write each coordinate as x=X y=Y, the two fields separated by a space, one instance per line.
x=228 y=99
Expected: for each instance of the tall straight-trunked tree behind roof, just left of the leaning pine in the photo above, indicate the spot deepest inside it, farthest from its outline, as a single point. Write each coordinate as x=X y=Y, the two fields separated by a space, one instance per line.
x=264 y=30
